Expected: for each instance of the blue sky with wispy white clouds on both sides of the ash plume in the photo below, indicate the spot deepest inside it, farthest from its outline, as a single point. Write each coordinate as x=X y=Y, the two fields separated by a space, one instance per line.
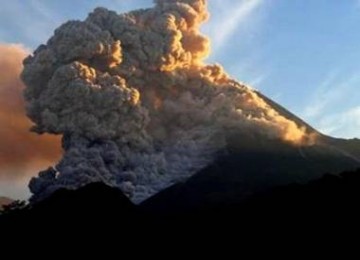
x=304 y=54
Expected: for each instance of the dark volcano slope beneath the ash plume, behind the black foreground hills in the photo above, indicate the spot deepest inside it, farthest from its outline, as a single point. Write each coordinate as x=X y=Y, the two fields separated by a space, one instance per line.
x=251 y=165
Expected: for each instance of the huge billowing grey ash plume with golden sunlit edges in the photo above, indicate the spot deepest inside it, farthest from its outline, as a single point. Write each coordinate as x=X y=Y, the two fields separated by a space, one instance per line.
x=135 y=104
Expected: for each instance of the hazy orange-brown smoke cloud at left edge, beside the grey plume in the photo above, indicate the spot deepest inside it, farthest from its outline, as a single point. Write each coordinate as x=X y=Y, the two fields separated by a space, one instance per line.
x=20 y=150
